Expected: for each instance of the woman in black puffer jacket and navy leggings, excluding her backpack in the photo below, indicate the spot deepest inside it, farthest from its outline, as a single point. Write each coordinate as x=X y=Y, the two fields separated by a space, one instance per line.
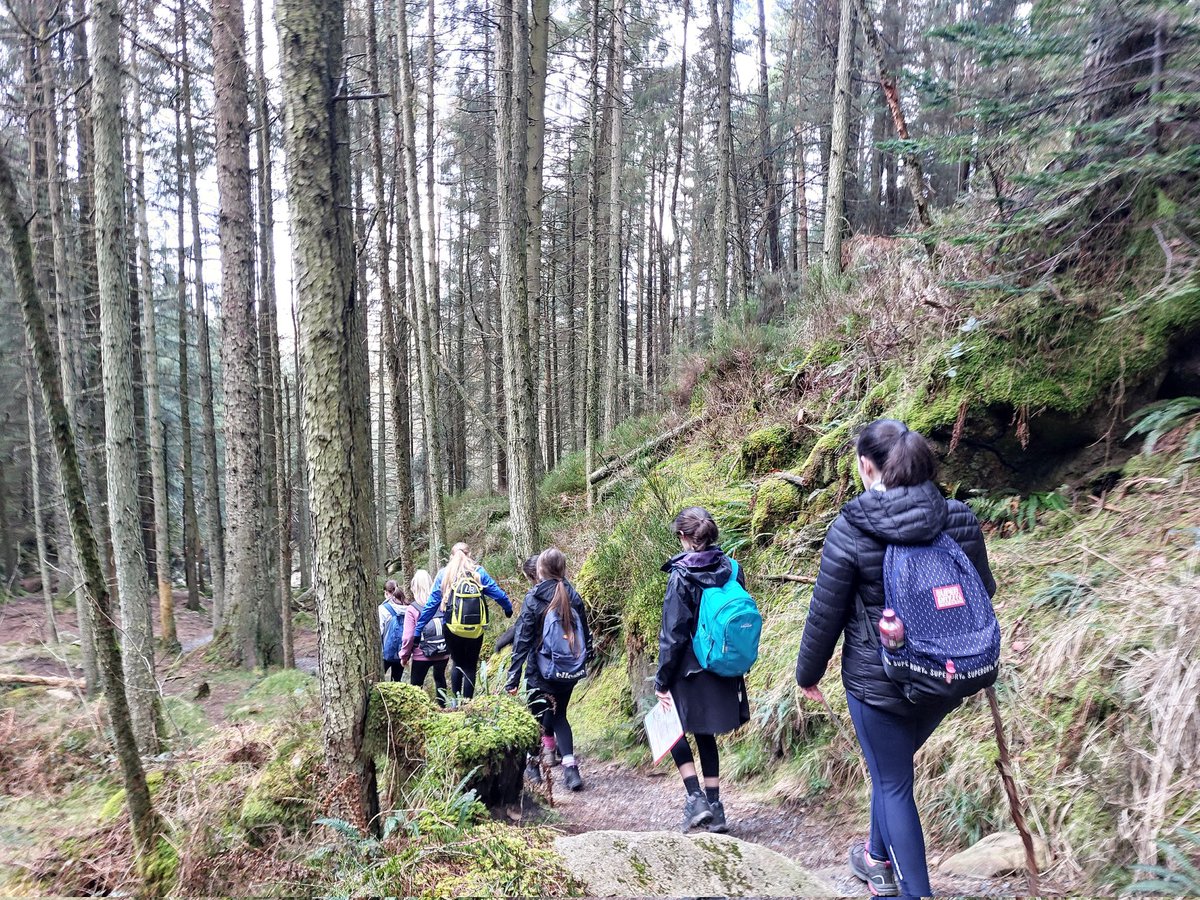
x=903 y=506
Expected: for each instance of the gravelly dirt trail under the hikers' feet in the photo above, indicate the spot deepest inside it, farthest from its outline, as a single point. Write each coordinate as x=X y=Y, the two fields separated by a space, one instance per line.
x=620 y=799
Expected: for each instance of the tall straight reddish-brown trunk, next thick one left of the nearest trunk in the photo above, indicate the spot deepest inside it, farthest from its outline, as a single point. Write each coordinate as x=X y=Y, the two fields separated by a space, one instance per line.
x=245 y=583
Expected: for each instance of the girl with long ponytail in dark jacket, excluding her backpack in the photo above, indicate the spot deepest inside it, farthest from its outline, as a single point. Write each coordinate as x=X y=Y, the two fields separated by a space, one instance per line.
x=550 y=698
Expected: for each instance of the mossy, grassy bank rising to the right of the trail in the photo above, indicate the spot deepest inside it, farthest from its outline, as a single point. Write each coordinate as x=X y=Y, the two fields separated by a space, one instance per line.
x=1097 y=602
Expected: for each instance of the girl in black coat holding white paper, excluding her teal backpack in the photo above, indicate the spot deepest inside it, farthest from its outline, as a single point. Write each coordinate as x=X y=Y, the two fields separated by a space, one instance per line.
x=709 y=704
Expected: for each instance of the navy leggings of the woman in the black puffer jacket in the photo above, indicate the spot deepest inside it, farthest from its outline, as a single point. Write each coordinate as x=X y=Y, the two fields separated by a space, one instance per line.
x=890 y=743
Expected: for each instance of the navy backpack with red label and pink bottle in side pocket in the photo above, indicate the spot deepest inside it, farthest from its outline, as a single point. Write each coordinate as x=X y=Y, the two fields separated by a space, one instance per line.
x=952 y=637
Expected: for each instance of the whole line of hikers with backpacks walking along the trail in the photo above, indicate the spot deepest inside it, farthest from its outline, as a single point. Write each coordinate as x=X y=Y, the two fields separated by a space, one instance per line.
x=904 y=580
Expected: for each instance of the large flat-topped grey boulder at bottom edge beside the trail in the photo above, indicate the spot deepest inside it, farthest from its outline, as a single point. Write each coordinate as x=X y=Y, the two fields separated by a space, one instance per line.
x=673 y=865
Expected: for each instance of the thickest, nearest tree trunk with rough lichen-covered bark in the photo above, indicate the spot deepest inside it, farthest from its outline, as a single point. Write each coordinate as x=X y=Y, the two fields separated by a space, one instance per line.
x=311 y=37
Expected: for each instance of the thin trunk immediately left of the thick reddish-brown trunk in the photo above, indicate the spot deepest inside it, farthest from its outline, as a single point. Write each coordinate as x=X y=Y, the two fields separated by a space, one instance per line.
x=214 y=527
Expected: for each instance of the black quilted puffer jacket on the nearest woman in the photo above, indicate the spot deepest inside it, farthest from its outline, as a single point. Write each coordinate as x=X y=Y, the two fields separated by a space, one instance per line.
x=853 y=567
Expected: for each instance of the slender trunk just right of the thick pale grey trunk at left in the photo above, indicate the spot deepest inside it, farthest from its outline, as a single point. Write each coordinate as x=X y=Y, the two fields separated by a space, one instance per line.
x=158 y=452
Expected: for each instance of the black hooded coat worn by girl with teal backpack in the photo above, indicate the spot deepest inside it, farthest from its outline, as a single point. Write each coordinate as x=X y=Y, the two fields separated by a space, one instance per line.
x=709 y=704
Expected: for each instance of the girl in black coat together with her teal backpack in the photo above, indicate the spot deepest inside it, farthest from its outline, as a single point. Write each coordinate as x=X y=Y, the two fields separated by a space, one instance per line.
x=709 y=641
